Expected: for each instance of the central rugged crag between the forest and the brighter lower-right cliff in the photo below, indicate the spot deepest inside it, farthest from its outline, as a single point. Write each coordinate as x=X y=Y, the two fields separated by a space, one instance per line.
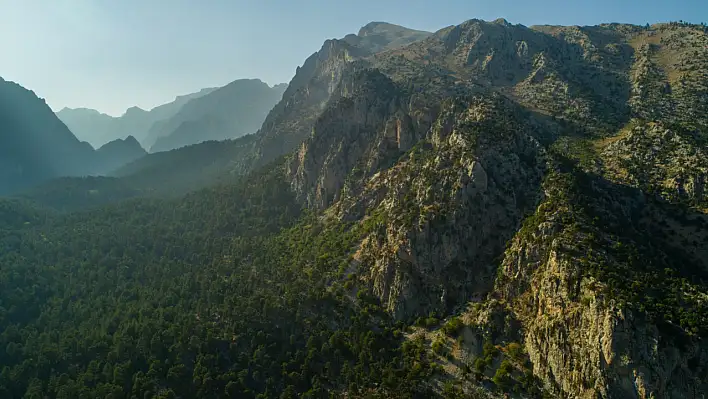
x=437 y=219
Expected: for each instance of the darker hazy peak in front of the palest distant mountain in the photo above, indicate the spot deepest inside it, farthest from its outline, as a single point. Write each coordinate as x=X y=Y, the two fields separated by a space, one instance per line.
x=231 y=111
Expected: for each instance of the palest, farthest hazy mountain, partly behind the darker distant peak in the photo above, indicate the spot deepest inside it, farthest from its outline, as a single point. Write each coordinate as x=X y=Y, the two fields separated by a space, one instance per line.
x=98 y=129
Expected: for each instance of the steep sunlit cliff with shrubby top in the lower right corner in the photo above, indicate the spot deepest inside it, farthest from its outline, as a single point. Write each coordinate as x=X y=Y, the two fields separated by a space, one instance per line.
x=611 y=303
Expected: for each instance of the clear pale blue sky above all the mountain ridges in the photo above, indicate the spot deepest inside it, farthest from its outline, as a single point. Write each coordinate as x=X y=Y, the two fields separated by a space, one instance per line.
x=111 y=55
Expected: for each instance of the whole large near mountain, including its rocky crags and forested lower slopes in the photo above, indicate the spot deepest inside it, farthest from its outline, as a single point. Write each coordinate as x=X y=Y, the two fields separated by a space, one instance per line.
x=491 y=211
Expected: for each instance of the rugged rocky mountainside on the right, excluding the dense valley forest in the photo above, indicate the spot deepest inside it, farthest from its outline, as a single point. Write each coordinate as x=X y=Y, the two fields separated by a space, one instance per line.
x=553 y=176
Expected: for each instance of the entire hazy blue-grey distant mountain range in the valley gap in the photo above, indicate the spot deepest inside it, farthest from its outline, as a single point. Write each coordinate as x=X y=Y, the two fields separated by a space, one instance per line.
x=211 y=114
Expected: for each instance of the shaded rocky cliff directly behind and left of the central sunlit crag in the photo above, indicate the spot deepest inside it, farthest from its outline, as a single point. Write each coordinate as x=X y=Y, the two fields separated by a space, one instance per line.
x=368 y=125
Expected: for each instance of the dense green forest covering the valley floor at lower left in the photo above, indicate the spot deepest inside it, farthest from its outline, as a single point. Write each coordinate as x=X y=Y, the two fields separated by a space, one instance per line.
x=229 y=292
